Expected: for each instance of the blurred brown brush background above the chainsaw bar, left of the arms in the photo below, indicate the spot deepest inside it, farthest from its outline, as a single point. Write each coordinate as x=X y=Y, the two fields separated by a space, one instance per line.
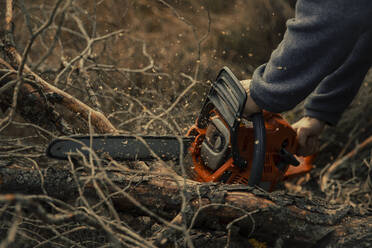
x=162 y=40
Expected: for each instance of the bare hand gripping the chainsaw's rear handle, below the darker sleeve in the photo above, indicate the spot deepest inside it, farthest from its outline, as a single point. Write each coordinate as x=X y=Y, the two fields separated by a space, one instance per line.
x=308 y=130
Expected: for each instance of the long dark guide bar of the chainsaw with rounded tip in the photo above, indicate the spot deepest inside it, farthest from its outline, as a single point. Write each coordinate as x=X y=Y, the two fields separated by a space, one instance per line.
x=121 y=147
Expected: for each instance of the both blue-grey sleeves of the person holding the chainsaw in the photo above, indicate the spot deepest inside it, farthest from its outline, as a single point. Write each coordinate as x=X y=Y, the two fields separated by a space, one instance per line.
x=326 y=52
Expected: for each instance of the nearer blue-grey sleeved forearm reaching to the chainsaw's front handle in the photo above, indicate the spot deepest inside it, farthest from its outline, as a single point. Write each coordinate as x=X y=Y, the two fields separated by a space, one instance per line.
x=317 y=42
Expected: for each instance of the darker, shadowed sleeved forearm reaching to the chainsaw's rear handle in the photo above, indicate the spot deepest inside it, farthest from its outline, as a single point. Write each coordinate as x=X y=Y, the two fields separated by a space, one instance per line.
x=335 y=92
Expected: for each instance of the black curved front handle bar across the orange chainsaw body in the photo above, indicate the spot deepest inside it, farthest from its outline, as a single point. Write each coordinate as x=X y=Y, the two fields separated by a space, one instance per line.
x=259 y=149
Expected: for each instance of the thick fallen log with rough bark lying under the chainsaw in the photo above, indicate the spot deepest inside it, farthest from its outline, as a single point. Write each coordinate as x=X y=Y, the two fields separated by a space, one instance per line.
x=276 y=217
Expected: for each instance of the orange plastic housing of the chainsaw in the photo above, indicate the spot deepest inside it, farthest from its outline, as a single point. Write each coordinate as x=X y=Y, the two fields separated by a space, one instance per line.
x=279 y=133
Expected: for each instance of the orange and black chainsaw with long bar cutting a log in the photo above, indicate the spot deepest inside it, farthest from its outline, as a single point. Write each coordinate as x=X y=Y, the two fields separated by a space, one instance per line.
x=224 y=146
